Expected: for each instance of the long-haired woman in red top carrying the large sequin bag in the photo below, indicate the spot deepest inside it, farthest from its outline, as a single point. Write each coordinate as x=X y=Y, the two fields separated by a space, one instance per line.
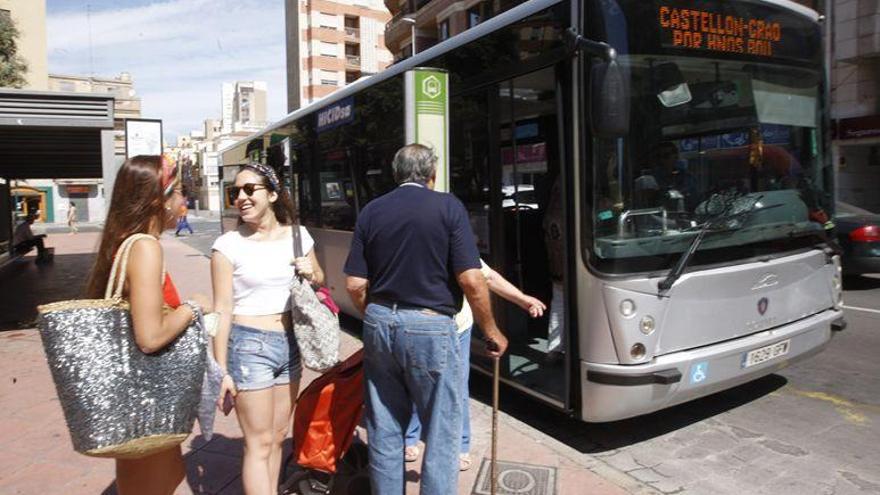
x=146 y=197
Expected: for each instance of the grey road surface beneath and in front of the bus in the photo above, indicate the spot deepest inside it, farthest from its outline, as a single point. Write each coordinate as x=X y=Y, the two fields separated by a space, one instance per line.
x=811 y=428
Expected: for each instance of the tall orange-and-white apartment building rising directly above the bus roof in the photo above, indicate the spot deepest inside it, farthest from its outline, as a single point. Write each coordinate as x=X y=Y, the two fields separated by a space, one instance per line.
x=331 y=44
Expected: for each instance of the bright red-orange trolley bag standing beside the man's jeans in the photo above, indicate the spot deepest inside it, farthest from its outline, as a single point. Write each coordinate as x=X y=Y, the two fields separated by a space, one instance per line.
x=327 y=413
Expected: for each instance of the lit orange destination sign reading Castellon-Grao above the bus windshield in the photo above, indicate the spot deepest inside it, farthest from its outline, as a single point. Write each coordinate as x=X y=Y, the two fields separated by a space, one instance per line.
x=704 y=29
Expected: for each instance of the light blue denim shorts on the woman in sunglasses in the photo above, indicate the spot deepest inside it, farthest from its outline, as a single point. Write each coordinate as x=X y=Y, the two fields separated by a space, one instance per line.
x=261 y=359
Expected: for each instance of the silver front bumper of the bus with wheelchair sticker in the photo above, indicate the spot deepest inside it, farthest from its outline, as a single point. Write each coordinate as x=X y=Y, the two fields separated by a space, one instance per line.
x=613 y=392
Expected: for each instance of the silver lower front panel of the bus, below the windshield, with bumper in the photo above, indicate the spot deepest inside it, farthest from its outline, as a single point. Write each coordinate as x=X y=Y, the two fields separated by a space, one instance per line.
x=703 y=330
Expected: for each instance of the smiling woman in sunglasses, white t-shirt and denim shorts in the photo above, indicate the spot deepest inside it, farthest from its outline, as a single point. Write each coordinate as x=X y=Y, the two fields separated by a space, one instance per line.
x=251 y=271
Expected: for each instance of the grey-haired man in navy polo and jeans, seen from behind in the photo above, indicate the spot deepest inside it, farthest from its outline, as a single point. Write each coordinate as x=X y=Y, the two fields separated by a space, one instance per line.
x=414 y=253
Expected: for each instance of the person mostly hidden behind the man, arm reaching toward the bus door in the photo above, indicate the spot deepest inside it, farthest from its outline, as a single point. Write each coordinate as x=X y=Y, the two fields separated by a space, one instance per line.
x=464 y=322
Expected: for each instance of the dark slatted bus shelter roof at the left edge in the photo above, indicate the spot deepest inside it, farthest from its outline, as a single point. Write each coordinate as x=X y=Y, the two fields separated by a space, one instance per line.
x=47 y=135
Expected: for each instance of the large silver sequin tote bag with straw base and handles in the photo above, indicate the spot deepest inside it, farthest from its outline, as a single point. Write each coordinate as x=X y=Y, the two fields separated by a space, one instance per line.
x=118 y=401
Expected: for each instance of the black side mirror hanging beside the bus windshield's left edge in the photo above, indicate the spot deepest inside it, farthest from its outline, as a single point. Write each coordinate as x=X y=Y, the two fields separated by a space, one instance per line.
x=609 y=100
